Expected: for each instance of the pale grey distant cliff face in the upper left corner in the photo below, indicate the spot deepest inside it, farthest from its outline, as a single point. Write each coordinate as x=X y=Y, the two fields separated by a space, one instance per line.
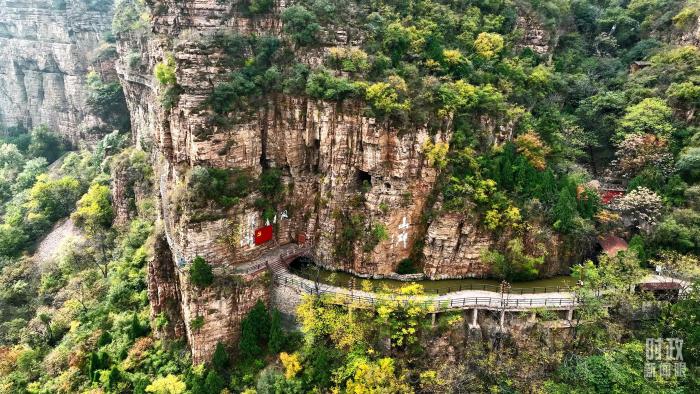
x=45 y=50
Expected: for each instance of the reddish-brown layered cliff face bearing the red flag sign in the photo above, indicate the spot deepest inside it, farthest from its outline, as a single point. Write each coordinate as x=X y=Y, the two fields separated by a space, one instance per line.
x=337 y=165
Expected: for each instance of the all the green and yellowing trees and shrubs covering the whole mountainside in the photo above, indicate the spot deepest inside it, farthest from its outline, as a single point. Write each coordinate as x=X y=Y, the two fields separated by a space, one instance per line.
x=612 y=96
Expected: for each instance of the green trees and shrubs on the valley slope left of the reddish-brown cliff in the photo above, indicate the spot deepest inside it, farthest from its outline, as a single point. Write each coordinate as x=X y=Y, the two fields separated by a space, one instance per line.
x=78 y=315
